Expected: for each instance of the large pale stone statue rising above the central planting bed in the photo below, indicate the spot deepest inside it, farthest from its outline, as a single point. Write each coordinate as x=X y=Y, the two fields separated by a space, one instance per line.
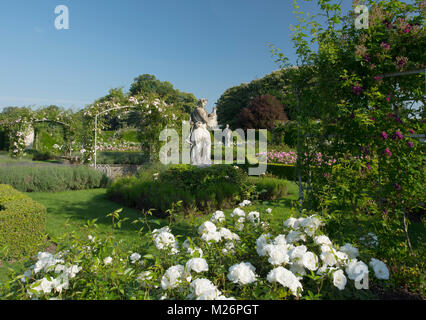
x=199 y=135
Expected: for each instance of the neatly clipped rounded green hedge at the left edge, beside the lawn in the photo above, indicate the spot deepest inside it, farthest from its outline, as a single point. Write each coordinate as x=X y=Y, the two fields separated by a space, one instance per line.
x=22 y=224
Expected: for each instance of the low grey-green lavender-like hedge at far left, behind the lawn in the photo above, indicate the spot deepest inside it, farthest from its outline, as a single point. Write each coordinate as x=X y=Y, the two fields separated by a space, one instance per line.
x=51 y=178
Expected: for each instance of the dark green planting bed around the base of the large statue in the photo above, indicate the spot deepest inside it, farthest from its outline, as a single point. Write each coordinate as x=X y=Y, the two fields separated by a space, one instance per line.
x=204 y=189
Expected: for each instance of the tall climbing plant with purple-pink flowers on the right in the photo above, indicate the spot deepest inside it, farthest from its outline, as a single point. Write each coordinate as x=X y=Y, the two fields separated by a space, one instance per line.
x=363 y=101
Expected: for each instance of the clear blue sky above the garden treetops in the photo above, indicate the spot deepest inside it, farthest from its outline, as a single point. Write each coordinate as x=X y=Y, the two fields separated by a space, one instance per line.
x=200 y=46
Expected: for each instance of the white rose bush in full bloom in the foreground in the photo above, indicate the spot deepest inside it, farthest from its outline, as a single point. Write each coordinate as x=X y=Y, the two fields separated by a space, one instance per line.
x=227 y=258
